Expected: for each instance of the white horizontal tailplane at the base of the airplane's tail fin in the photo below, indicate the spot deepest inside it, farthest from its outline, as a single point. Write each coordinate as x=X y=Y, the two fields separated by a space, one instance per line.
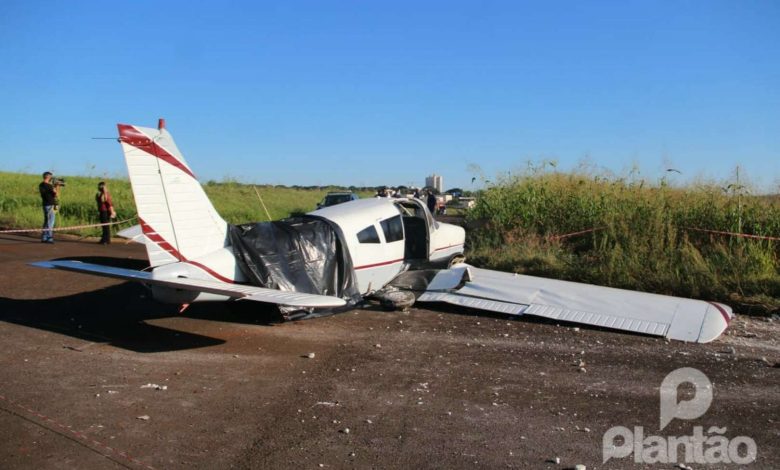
x=236 y=291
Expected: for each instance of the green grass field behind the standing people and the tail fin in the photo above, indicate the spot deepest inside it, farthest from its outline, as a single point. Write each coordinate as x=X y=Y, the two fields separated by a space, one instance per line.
x=20 y=201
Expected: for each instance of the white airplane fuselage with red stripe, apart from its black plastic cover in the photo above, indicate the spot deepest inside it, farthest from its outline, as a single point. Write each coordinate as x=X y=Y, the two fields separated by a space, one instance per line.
x=384 y=237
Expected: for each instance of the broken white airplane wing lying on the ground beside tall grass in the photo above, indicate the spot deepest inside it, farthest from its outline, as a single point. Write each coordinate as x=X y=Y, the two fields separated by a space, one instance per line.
x=639 y=312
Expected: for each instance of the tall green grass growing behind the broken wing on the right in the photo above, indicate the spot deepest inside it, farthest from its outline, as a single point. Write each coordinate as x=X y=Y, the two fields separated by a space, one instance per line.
x=642 y=241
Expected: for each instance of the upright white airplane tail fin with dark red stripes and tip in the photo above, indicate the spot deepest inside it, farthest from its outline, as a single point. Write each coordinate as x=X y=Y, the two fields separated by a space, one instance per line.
x=173 y=210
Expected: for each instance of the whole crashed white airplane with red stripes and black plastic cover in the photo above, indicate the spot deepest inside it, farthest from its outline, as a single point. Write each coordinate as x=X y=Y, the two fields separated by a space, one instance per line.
x=335 y=256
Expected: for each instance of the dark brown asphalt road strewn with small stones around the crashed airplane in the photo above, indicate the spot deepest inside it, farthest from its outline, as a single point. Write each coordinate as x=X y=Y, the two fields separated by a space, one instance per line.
x=420 y=389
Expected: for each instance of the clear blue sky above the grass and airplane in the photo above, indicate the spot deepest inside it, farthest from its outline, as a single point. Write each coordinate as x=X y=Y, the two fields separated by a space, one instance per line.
x=372 y=93
